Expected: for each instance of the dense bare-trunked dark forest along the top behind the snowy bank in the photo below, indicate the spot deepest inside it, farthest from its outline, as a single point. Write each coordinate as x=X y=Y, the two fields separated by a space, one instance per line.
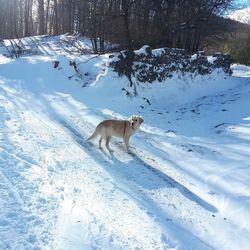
x=186 y=24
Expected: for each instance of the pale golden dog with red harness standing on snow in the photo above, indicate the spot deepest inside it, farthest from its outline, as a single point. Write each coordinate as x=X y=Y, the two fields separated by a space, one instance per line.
x=120 y=128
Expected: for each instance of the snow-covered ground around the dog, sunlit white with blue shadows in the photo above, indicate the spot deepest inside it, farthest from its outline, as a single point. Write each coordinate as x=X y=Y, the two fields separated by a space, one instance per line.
x=184 y=185
